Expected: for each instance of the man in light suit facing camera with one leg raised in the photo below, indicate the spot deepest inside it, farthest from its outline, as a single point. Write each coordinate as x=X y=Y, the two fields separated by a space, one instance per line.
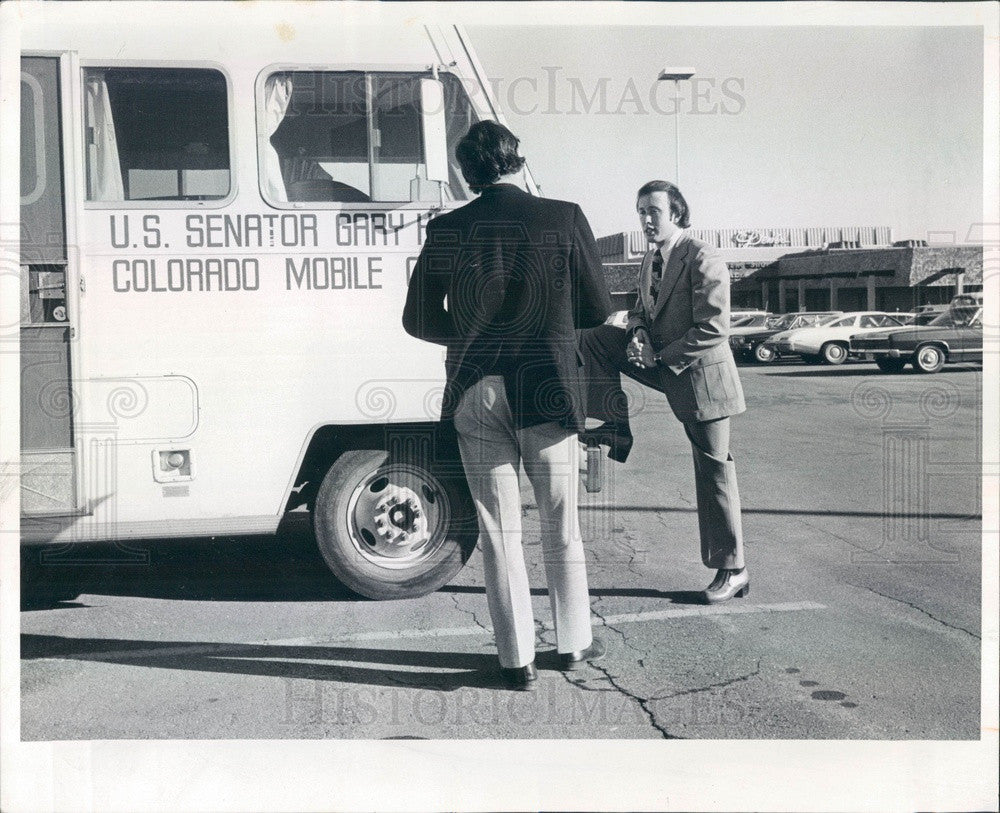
x=676 y=341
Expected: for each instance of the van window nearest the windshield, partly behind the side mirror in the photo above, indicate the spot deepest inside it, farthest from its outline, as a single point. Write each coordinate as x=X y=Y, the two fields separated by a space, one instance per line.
x=353 y=137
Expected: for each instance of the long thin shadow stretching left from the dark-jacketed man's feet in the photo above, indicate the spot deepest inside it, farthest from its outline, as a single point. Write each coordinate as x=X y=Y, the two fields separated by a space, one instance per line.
x=364 y=665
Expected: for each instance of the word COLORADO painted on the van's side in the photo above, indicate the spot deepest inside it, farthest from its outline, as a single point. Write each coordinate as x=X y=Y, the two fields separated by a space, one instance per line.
x=160 y=275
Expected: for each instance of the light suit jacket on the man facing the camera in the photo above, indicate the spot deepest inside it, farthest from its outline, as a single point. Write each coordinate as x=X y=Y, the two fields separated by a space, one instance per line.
x=688 y=325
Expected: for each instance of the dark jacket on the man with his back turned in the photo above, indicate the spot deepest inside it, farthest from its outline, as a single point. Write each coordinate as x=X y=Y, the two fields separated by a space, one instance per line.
x=519 y=274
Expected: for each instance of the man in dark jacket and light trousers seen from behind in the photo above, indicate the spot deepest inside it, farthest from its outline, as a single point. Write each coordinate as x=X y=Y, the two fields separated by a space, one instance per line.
x=519 y=275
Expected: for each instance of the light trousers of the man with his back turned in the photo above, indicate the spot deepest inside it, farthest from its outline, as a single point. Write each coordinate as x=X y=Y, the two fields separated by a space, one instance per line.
x=491 y=450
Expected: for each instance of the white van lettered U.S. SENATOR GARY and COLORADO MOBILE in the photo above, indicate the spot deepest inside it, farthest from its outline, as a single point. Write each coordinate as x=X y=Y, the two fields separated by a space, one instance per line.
x=219 y=218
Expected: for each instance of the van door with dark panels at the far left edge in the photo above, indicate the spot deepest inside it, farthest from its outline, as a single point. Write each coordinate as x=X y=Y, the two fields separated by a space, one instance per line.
x=48 y=479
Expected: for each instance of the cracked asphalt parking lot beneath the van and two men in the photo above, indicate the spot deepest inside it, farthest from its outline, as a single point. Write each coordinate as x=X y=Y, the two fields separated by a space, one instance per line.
x=861 y=495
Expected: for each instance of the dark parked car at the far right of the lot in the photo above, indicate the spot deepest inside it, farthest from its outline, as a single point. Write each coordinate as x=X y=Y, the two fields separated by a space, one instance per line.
x=955 y=335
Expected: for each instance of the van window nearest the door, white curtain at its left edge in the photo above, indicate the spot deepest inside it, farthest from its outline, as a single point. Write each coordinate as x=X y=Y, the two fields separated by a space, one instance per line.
x=156 y=134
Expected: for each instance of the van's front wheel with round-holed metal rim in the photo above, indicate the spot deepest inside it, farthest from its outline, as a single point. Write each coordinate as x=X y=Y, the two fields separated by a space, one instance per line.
x=392 y=529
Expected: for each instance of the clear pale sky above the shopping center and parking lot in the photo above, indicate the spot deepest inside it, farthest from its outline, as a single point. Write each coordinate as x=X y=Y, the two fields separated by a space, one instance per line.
x=793 y=126
